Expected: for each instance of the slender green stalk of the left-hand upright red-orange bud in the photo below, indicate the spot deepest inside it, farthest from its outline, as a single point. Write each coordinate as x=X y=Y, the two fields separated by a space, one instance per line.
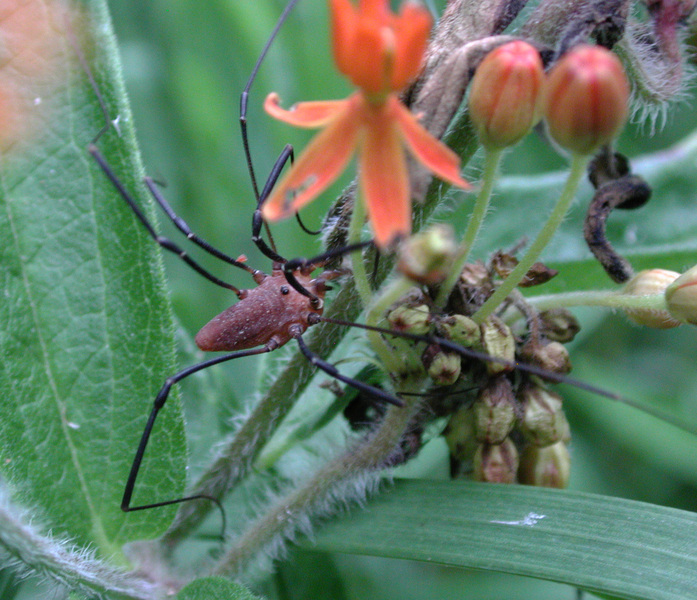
x=492 y=159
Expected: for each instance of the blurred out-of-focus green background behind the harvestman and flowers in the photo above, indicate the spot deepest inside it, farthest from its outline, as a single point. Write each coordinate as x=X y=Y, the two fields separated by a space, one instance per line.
x=185 y=64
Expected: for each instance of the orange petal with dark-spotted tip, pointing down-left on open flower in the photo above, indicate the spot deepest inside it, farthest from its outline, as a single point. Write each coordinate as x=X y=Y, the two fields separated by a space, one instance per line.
x=324 y=158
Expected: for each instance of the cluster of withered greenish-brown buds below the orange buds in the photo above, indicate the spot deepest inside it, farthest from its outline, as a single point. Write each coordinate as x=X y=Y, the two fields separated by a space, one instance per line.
x=503 y=426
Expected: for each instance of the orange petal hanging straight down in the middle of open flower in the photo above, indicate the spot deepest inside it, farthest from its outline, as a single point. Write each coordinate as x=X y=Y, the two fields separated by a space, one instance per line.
x=384 y=179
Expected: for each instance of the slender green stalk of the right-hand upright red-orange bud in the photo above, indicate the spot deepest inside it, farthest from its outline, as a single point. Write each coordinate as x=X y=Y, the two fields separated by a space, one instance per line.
x=578 y=168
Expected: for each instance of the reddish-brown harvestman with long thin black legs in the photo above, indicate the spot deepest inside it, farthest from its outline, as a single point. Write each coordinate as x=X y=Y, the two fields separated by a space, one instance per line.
x=282 y=306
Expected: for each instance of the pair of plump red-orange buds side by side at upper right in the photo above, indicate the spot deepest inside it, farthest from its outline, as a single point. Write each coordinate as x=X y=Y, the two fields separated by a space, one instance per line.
x=584 y=98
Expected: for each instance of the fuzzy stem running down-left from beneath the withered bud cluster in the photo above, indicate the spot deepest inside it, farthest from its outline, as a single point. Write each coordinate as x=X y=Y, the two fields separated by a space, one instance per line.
x=325 y=489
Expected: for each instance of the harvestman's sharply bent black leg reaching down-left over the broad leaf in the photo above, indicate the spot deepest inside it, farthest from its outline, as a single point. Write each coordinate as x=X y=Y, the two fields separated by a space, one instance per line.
x=157 y=406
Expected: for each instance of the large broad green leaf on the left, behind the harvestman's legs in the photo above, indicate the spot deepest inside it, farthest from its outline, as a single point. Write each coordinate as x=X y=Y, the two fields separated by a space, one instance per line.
x=86 y=326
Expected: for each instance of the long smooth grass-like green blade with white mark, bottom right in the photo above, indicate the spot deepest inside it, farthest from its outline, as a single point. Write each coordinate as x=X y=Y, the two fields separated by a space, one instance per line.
x=608 y=545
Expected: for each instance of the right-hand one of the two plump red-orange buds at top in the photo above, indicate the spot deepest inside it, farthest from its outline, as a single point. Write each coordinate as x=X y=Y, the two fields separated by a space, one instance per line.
x=586 y=99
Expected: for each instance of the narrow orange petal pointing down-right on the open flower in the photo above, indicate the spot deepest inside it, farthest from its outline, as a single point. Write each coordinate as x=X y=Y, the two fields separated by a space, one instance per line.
x=429 y=151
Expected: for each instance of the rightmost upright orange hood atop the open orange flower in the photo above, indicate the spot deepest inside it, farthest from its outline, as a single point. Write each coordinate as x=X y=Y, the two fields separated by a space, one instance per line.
x=413 y=26
